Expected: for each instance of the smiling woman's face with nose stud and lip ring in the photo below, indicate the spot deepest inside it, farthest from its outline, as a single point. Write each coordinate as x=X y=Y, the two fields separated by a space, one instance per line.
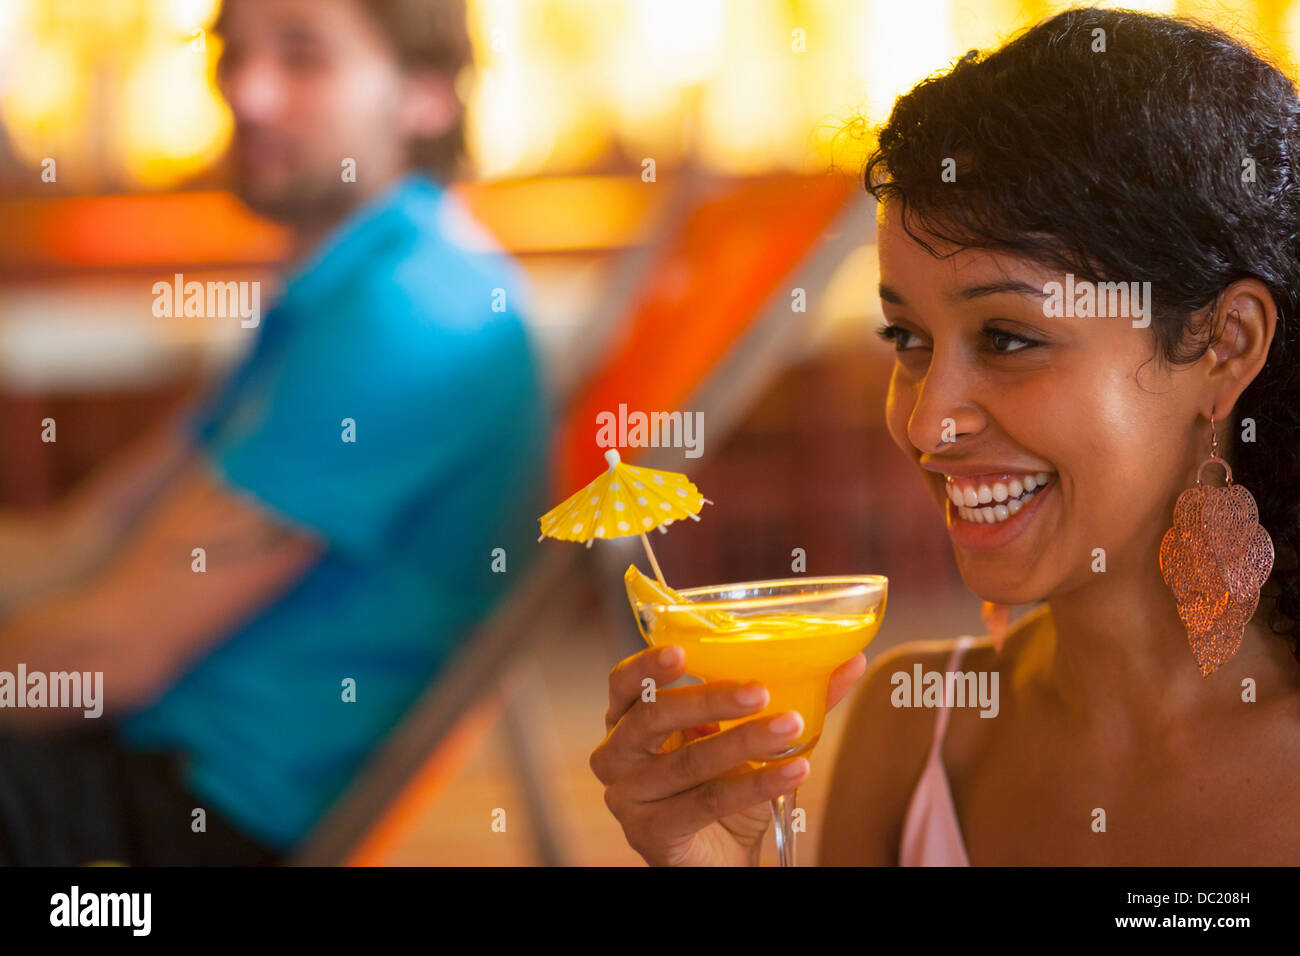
x=1024 y=397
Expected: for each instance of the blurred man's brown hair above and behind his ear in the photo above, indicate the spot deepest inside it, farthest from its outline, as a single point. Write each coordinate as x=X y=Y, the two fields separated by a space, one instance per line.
x=427 y=36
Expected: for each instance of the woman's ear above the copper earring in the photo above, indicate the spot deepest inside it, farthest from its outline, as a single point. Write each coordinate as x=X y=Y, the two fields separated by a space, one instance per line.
x=1245 y=322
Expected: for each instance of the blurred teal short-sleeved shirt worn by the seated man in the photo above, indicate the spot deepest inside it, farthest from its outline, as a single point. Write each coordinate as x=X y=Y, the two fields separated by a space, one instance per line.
x=410 y=344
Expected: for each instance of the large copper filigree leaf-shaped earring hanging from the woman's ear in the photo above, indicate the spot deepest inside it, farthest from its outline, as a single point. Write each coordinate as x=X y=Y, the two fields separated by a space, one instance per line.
x=1215 y=560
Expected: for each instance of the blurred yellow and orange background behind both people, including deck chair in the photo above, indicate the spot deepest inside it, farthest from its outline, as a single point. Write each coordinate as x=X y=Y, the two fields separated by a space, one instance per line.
x=752 y=116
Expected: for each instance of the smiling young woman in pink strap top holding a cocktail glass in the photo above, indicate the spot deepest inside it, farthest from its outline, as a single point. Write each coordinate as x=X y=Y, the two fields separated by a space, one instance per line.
x=1100 y=146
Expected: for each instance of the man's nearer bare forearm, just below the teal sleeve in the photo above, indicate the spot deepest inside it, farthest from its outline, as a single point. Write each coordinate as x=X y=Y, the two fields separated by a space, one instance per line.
x=146 y=616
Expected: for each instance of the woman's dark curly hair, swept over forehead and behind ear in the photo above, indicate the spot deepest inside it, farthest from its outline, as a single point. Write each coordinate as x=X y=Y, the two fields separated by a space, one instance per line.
x=1117 y=145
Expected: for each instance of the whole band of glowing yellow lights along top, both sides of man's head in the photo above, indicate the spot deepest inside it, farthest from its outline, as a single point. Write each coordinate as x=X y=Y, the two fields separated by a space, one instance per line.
x=123 y=90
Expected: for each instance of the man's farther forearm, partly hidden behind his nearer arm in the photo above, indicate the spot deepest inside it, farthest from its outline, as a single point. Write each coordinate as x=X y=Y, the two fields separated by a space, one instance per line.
x=54 y=550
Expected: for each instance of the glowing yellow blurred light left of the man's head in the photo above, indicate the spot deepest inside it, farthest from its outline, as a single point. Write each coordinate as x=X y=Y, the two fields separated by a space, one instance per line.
x=119 y=92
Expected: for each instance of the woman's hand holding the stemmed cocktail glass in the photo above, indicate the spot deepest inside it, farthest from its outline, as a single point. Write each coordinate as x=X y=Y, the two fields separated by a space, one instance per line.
x=682 y=790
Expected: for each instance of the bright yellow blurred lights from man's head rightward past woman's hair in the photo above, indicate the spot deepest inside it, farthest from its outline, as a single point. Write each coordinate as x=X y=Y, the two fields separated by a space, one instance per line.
x=742 y=86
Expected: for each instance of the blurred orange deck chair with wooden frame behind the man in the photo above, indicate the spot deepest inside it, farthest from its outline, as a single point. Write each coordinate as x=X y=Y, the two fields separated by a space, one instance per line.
x=705 y=321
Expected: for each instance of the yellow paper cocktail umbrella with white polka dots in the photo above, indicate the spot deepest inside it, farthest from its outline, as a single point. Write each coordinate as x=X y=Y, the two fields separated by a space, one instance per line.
x=625 y=500
